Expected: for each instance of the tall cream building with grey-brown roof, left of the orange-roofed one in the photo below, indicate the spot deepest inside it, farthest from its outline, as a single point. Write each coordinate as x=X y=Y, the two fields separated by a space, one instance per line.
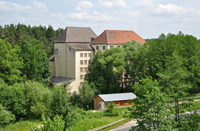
x=72 y=55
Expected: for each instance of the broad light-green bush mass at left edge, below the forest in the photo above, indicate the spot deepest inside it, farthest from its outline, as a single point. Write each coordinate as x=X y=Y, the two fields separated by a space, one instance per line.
x=25 y=100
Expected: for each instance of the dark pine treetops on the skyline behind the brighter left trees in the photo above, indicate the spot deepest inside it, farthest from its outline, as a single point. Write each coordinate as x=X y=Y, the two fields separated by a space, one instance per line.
x=14 y=34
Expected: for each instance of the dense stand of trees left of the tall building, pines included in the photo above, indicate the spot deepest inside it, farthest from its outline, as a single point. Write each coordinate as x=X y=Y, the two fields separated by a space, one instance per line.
x=25 y=51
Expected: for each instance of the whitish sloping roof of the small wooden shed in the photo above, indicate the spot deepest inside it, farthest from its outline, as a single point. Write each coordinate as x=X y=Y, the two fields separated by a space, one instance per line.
x=117 y=96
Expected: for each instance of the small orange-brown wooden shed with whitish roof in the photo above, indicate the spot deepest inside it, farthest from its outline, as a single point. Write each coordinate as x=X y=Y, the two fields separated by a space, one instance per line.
x=119 y=99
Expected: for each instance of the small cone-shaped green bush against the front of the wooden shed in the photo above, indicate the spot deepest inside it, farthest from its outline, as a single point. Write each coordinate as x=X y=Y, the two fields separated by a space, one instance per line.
x=111 y=111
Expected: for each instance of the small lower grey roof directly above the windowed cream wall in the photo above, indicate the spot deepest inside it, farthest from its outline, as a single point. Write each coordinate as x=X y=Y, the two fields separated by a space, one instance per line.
x=81 y=47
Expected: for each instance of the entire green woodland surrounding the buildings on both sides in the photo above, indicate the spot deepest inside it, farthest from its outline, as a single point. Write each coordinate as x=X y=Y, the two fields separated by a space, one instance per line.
x=161 y=71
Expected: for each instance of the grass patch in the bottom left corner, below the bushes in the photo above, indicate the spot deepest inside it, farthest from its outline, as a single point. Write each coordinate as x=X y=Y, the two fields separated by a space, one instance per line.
x=20 y=126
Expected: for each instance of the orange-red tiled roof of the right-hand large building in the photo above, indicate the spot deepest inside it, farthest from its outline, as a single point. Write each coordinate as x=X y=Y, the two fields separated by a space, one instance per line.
x=117 y=37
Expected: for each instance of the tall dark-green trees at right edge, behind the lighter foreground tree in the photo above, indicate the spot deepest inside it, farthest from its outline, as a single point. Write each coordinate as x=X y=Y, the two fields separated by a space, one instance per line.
x=187 y=46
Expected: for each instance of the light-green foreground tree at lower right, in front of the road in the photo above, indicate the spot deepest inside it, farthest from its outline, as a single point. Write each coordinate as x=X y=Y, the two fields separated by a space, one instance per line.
x=151 y=108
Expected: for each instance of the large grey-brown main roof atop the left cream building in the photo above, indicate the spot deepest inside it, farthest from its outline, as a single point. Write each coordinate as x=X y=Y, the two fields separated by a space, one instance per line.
x=76 y=34
